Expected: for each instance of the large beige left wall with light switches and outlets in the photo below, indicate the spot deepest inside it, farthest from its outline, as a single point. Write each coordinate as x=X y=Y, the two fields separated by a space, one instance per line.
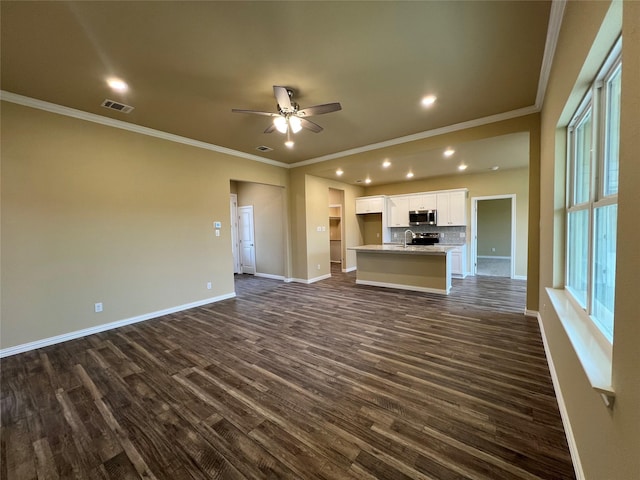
x=97 y=214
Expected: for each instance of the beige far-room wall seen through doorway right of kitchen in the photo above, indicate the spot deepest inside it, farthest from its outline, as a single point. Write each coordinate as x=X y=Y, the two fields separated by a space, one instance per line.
x=494 y=227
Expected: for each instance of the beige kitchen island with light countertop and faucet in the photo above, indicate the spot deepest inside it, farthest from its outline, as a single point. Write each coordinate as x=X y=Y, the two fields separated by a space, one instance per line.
x=422 y=268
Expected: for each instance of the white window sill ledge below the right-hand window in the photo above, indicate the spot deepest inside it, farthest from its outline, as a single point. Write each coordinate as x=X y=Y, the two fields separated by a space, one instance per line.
x=591 y=347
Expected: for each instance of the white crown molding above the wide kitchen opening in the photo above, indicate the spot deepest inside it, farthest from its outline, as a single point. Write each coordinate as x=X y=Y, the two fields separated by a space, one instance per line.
x=521 y=112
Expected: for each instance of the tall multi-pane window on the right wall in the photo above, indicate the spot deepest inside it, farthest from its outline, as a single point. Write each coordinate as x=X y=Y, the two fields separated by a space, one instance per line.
x=592 y=200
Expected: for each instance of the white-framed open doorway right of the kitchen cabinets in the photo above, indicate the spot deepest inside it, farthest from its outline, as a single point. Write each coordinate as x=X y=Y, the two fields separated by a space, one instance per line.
x=493 y=236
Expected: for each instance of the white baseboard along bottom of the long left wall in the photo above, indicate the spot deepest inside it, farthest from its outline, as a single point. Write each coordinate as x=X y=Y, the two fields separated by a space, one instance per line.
x=45 y=342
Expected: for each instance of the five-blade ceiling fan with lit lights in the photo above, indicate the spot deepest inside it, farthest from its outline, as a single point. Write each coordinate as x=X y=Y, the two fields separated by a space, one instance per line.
x=290 y=117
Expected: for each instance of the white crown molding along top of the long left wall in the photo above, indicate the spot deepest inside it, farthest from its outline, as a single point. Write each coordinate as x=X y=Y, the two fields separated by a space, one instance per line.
x=110 y=122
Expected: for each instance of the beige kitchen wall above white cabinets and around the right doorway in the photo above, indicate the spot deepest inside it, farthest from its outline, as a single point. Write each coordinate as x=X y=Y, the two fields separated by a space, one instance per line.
x=501 y=182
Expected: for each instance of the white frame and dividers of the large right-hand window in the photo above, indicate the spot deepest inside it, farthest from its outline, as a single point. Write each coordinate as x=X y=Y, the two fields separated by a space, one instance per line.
x=595 y=103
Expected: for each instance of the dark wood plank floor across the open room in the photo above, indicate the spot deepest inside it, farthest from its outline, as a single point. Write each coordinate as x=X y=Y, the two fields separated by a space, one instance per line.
x=322 y=381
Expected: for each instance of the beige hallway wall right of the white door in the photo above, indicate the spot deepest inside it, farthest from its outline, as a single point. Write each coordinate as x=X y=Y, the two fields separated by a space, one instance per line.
x=269 y=214
